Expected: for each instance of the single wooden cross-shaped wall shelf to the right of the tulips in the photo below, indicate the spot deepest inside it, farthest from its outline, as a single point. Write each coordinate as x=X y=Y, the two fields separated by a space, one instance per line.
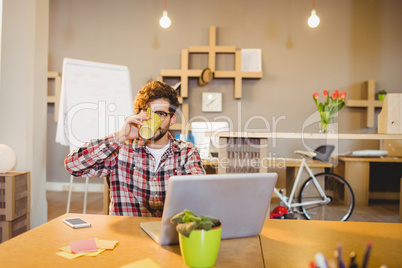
x=370 y=104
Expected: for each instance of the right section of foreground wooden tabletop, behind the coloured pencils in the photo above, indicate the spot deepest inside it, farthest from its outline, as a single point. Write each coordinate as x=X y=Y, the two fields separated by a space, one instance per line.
x=292 y=243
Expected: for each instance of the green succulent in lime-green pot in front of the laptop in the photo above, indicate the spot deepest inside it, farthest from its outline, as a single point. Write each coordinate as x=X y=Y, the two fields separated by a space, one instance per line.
x=199 y=238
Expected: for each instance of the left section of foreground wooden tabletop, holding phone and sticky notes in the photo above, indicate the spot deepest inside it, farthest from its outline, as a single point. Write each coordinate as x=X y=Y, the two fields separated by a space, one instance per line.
x=38 y=247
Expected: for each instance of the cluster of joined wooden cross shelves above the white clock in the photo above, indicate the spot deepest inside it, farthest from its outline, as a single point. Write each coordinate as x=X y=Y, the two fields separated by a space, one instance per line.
x=212 y=49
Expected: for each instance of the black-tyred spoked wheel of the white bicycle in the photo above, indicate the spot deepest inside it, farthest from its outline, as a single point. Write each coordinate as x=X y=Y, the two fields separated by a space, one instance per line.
x=341 y=203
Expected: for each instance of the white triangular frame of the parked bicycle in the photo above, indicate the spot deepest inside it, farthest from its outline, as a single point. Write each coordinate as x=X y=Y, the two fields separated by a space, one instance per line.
x=289 y=203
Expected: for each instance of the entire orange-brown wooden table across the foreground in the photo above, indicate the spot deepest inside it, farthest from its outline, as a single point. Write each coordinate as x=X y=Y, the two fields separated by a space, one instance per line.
x=282 y=243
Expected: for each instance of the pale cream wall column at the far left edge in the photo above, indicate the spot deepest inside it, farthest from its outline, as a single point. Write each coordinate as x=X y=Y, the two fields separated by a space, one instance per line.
x=24 y=51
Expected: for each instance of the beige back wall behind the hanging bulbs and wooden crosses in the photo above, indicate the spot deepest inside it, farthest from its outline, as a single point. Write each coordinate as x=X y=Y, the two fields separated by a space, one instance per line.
x=357 y=40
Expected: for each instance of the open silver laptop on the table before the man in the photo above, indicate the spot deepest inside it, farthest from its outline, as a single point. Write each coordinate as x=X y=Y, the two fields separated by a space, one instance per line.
x=239 y=201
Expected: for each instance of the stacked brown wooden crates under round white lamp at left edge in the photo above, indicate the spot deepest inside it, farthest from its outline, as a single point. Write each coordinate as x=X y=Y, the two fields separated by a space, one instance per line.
x=14 y=203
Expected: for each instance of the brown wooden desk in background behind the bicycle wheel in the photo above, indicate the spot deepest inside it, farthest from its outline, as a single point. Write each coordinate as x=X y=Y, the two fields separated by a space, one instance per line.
x=357 y=172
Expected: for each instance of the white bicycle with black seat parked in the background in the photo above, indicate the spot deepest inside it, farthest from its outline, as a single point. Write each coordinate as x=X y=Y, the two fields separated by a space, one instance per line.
x=323 y=196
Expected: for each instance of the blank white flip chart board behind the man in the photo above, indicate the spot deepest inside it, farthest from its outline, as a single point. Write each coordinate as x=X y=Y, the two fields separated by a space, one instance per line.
x=95 y=98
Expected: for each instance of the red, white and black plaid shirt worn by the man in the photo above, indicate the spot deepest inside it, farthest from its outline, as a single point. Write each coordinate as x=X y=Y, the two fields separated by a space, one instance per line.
x=136 y=189
